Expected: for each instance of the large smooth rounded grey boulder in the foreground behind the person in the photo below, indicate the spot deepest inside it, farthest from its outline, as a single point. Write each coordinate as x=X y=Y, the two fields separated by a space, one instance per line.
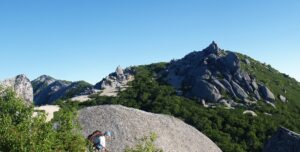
x=128 y=125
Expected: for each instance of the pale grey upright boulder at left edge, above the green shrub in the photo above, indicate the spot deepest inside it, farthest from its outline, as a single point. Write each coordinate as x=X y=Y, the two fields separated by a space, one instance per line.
x=21 y=85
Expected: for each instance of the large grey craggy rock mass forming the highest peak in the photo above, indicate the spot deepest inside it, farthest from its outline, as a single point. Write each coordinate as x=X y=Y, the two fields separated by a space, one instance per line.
x=213 y=75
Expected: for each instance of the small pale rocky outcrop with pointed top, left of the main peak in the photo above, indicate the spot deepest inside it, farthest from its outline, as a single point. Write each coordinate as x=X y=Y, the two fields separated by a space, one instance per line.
x=115 y=82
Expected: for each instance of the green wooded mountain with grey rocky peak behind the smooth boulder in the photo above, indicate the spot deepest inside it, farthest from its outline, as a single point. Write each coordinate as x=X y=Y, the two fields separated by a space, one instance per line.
x=207 y=84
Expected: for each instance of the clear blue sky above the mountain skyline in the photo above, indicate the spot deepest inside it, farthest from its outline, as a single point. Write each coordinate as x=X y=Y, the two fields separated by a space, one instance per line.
x=88 y=39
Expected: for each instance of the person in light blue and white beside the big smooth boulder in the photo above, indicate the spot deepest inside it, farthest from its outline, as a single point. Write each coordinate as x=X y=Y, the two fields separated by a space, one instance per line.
x=99 y=140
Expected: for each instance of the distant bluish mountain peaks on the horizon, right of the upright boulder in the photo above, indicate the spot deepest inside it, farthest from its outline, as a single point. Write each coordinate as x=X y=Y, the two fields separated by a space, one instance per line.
x=47 y=89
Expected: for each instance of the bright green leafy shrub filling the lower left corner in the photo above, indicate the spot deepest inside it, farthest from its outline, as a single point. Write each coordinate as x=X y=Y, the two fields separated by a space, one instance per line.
x=20 y=131
